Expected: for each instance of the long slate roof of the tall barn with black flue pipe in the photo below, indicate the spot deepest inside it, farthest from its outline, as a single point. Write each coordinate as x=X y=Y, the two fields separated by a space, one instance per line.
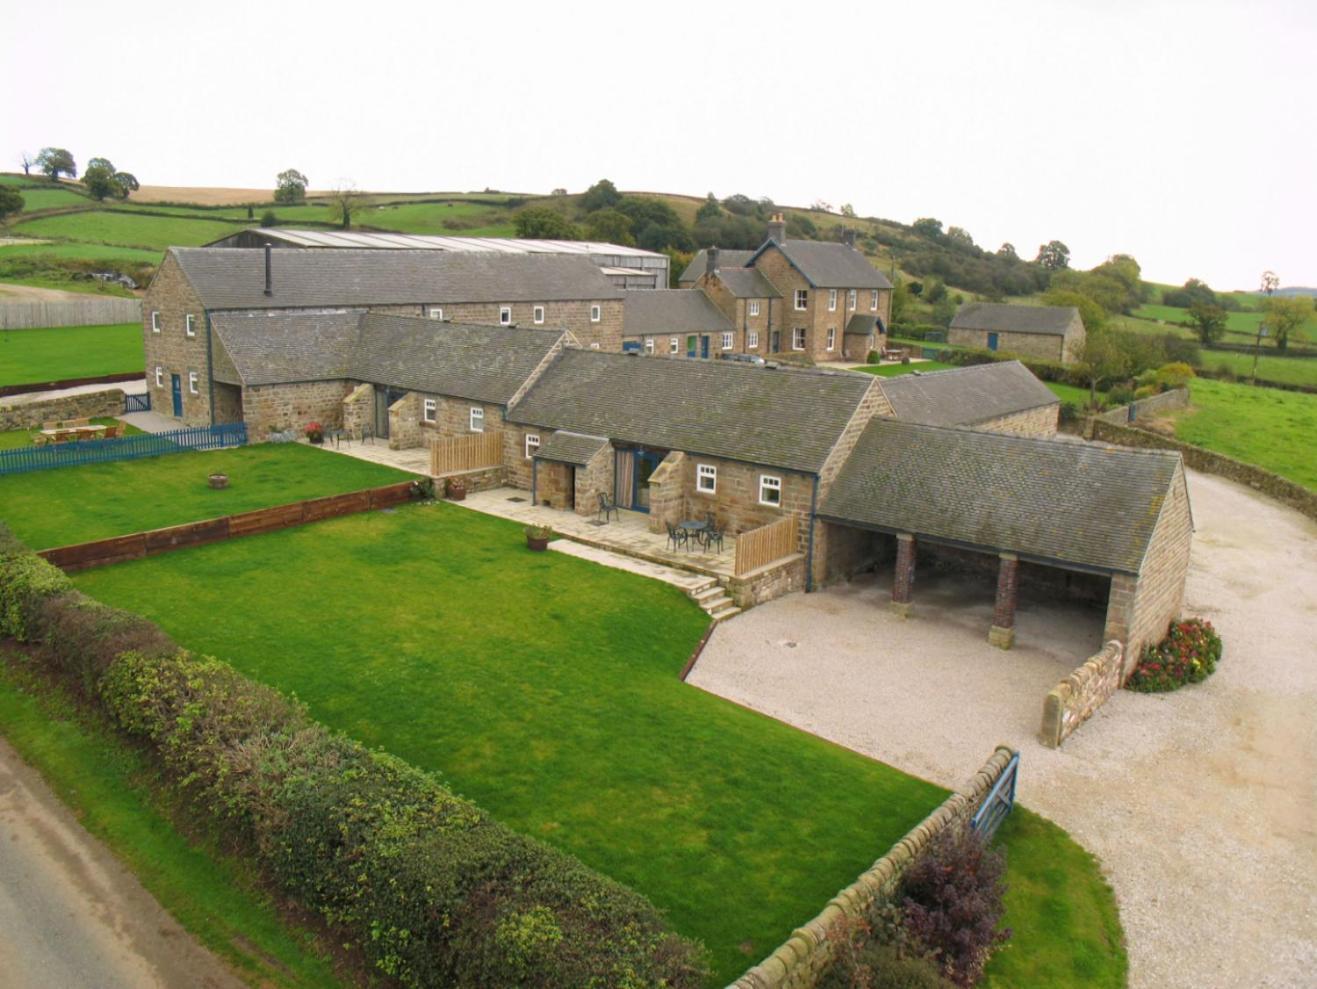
x=234 y=279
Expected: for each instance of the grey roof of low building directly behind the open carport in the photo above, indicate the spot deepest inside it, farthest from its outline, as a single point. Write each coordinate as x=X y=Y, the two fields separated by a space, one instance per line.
x=966 y=396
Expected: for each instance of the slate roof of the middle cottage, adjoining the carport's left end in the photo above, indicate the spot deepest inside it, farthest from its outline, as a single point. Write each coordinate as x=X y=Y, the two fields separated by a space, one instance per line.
x=779 y=418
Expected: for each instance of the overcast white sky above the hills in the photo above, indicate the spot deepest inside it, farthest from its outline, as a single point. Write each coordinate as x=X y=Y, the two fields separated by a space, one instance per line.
x=1182 y=134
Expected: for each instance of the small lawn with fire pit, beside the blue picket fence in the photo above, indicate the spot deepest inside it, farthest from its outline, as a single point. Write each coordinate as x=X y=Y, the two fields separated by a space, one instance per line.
x=77 y=505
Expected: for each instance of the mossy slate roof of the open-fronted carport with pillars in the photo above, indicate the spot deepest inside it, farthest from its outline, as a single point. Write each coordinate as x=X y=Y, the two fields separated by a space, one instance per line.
x=1046 y=500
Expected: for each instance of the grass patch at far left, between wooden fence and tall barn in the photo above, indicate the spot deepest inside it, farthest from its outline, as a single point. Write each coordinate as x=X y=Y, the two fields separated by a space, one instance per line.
x=30 y=356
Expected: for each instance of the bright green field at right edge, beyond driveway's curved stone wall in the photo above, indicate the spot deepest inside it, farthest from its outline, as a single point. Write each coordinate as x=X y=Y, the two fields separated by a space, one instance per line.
x=1268 y=427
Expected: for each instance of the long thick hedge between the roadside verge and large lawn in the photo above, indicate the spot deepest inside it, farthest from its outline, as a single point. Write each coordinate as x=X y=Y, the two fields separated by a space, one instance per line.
x=423 y=883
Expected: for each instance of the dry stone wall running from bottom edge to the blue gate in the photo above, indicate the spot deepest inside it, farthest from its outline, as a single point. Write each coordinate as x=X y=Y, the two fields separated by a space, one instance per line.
x=805 y=957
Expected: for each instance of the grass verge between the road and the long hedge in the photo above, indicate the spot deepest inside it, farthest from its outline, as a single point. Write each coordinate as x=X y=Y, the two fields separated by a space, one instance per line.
x=107 y=786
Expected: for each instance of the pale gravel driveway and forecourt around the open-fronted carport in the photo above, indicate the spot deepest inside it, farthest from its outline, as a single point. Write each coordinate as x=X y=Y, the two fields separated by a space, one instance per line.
x=1200 y=804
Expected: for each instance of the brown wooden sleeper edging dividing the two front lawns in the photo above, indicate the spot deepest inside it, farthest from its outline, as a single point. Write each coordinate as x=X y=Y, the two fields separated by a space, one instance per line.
x=136 y=546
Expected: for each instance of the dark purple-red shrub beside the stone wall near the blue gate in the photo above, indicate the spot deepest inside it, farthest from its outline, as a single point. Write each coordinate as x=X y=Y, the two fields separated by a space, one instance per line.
x=953 y=903
